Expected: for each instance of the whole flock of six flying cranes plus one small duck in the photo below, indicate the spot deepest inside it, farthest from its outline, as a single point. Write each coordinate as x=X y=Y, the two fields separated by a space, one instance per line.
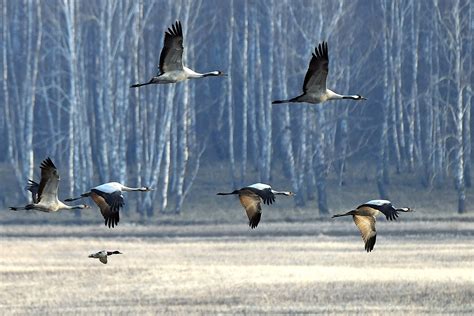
x=109 y=198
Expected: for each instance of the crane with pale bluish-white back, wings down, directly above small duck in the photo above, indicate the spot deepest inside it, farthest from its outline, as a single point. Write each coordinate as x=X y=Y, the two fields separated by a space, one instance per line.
x=108 y=197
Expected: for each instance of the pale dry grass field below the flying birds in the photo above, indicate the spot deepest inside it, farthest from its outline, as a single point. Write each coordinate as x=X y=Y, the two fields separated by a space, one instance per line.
x=320 y=267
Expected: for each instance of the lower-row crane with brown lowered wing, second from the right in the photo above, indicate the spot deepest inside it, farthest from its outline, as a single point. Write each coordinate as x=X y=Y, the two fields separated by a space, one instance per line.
x=251 y=197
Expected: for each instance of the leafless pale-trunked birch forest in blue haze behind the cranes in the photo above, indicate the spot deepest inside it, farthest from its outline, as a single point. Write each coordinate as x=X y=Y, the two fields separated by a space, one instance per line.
x=67 y=65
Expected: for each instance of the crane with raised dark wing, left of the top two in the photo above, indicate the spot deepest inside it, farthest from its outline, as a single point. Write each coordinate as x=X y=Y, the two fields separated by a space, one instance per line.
x=172 y=69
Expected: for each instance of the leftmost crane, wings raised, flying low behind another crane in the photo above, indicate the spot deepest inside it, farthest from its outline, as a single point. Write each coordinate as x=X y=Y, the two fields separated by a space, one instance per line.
x=45 y=194
